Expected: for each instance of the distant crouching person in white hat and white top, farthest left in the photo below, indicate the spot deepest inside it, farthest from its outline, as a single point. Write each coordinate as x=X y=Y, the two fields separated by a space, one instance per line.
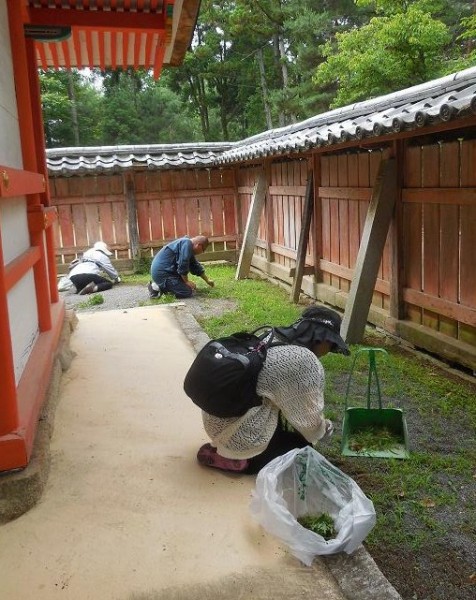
x=88 y=272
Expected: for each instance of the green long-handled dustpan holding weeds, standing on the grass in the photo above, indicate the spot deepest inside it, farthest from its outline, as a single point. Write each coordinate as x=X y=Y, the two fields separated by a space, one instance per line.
x=373 y=432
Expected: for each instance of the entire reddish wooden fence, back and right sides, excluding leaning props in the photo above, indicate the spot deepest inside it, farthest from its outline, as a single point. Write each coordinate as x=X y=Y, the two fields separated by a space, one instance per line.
x=426 y=285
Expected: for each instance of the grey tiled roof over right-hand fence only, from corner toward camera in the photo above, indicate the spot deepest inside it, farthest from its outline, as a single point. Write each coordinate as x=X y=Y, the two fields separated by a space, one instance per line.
x=436 y=101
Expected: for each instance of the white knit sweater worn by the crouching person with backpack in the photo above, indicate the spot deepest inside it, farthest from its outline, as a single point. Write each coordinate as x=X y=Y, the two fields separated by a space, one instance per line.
x=291 y=381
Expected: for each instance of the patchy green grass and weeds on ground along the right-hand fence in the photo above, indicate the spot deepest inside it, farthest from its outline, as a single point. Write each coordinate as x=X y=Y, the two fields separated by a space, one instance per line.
x=425 y=537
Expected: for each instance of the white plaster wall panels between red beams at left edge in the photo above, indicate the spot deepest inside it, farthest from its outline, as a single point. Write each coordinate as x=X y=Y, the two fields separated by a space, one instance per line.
x=22 y=305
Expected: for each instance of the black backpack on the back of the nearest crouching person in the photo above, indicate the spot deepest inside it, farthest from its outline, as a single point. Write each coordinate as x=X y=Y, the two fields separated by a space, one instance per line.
x=222 y=378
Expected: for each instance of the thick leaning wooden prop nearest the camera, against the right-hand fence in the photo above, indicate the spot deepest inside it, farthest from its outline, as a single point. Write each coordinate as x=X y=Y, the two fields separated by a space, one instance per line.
x=374 y=235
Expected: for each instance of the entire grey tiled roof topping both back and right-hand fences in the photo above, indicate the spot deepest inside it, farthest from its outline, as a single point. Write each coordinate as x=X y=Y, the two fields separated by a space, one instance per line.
x=438 y=101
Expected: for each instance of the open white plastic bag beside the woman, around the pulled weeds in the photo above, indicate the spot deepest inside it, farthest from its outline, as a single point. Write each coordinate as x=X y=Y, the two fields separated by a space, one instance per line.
x=302 y=482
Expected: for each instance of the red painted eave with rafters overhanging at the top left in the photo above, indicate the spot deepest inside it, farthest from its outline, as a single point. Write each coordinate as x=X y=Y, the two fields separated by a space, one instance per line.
x=110 y=33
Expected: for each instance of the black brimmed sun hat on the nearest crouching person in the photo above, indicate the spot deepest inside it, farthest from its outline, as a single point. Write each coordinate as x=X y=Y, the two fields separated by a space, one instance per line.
x=317 y=324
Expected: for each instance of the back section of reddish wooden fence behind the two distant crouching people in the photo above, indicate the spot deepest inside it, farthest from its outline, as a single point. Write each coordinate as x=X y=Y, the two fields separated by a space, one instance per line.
x=138 y=212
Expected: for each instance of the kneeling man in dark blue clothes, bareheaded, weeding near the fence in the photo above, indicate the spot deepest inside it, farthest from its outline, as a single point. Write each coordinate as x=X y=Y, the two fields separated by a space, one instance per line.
x=172 y=265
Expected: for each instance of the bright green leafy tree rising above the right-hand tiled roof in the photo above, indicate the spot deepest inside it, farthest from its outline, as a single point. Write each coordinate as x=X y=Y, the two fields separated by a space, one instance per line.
x=407 y=47
